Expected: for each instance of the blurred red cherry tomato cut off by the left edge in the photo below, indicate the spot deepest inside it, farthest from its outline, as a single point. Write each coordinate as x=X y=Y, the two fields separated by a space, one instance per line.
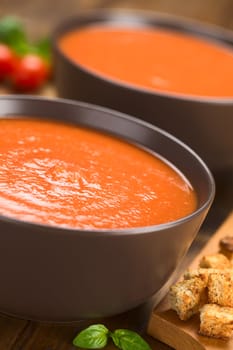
x=7 y=61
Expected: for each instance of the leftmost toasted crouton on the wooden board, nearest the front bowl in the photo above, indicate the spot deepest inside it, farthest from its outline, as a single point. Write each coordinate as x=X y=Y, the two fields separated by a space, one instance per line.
x=187 y=296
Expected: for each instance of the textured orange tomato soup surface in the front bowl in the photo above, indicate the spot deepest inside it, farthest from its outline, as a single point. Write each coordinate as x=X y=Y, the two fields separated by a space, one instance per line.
x=59 y=174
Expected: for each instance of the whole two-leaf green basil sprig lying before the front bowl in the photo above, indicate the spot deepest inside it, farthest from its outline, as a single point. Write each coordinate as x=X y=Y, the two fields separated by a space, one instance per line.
x=97 y=336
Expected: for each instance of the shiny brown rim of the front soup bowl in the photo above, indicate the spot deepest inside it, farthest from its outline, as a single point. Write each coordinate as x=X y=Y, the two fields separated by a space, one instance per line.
x=56 y=230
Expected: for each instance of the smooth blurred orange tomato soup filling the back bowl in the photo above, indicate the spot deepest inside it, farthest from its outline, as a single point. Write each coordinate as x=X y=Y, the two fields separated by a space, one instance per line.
x=155 y=59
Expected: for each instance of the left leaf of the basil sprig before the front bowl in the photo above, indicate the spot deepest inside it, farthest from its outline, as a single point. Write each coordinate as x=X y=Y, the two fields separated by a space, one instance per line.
x=93 y=337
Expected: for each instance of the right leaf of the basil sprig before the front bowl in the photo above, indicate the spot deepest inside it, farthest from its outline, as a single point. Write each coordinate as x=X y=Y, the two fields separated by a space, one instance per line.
x=128 y=340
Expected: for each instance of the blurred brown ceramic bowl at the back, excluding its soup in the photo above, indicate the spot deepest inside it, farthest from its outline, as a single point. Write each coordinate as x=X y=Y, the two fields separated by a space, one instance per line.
x=205 y=124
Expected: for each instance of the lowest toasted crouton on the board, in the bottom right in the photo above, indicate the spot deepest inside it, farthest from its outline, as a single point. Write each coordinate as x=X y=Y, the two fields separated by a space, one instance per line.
x=216 y=321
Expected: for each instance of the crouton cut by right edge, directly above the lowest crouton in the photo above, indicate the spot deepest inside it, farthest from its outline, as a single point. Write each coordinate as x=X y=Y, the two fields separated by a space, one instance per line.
x=220 y=288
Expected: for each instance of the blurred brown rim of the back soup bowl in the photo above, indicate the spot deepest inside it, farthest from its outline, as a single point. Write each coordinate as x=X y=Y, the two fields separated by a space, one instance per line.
x=209 y=32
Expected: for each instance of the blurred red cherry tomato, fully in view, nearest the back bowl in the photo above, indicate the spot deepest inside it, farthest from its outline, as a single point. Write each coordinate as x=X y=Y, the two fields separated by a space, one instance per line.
x=30 y=73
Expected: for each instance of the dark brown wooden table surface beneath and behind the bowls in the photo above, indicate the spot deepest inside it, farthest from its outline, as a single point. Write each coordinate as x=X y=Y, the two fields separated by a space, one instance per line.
x=16 y=334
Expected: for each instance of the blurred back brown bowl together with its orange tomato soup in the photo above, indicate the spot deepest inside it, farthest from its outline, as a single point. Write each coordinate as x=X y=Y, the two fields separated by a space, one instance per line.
x=172 y=73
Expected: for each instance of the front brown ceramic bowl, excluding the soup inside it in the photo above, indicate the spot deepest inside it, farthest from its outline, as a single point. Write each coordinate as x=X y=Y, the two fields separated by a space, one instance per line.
x=56 y=274
